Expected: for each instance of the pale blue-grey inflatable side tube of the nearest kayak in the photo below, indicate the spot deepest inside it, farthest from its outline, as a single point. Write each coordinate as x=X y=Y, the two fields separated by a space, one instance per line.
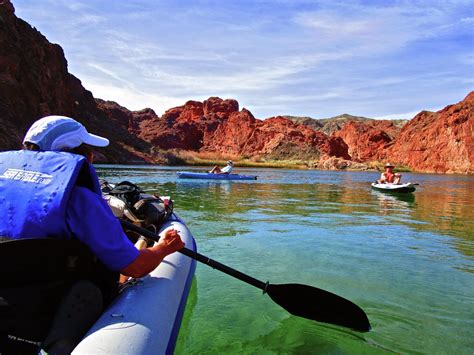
x=145 y=318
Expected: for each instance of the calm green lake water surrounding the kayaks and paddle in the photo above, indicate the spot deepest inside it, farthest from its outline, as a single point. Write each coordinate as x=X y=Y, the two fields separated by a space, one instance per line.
x=407 y=261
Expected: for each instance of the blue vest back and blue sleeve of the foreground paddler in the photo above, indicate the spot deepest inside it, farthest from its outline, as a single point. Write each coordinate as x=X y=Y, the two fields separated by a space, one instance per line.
x=57 y=194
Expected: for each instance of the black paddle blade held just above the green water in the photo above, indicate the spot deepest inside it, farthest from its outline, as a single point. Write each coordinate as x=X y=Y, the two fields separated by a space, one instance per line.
x=319 y=305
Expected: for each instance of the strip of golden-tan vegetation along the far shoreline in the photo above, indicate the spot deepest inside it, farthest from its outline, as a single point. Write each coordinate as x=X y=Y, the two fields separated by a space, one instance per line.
x=192 y=158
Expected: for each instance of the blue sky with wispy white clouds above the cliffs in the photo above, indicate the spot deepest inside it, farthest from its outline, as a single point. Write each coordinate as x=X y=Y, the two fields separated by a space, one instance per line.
x=378 y=59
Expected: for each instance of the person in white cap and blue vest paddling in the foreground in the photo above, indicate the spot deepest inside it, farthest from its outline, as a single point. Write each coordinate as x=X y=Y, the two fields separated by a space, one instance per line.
x=50 y=190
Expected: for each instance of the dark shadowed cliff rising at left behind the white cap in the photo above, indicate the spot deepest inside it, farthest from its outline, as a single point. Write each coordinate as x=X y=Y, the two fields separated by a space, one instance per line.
x=35 y=82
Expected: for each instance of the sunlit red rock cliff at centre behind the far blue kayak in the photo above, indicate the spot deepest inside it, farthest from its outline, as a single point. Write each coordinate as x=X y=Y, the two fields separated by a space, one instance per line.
x=217 y=125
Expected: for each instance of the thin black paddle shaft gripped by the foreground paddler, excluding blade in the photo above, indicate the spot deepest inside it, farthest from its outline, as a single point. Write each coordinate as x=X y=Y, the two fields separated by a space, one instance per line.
x=201 y=258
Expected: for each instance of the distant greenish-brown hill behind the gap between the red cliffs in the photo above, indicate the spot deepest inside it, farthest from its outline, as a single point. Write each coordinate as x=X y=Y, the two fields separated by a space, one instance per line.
x=334 y=124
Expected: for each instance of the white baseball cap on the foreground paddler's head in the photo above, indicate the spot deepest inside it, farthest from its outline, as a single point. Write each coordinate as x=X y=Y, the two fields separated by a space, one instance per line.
x=61 y=133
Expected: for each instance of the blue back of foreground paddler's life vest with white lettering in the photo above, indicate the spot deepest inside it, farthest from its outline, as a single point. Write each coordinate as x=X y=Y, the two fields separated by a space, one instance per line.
x=34 y=192
